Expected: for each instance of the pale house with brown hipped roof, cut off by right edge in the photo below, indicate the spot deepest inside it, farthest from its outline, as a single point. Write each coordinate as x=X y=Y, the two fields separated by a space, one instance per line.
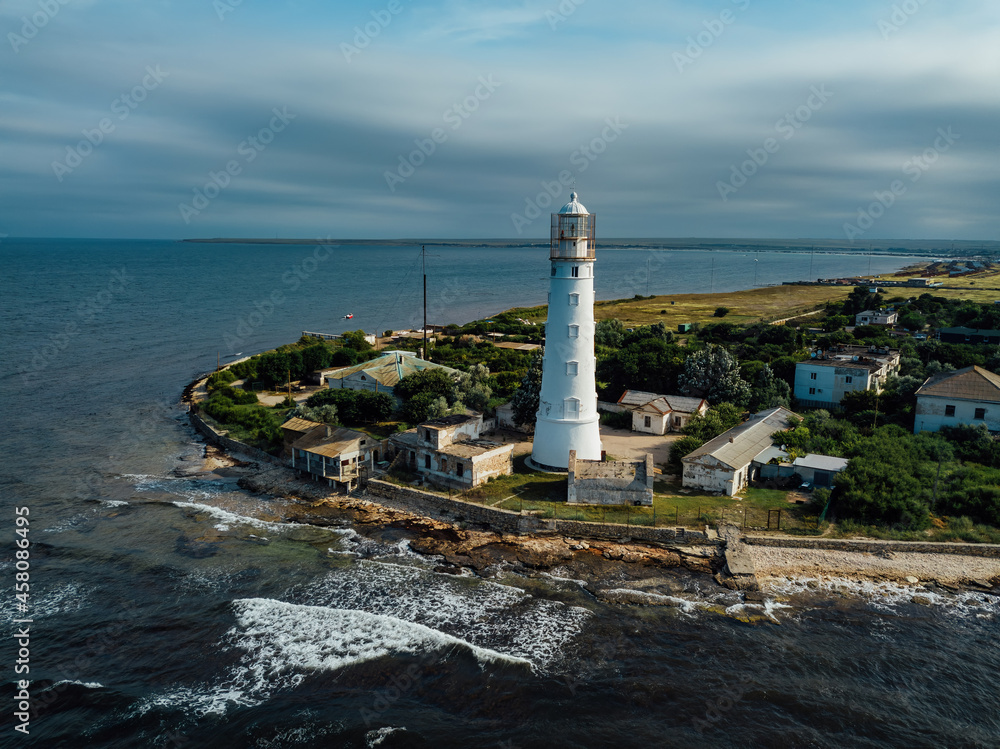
x=966 y=396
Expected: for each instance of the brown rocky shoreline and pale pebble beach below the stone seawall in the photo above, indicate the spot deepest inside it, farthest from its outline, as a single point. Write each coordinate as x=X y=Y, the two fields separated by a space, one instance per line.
x=614 y=572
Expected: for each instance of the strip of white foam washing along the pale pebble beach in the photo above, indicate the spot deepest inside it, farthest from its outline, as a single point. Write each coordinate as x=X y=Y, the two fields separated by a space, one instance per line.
x=888 y=594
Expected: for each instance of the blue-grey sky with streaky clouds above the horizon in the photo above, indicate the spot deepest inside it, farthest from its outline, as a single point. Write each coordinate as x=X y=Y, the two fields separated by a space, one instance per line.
x=855 y=119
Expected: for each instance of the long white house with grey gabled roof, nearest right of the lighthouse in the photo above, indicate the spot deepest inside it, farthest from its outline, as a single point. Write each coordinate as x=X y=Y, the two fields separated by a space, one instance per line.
x=723 y=464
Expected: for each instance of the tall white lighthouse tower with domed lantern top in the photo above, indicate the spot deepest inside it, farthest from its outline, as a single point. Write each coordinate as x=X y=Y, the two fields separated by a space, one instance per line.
x=567 y=416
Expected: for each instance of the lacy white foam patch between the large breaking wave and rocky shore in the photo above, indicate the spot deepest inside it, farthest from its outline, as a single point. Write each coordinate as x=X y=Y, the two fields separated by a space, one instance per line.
x=488 y=614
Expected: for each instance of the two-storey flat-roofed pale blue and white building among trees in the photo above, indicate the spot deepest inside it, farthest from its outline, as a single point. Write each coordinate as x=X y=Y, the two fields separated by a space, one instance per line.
x=823 y=380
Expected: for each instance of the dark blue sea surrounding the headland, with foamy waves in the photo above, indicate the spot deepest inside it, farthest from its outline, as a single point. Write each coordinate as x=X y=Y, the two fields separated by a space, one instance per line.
x=166 y=610
